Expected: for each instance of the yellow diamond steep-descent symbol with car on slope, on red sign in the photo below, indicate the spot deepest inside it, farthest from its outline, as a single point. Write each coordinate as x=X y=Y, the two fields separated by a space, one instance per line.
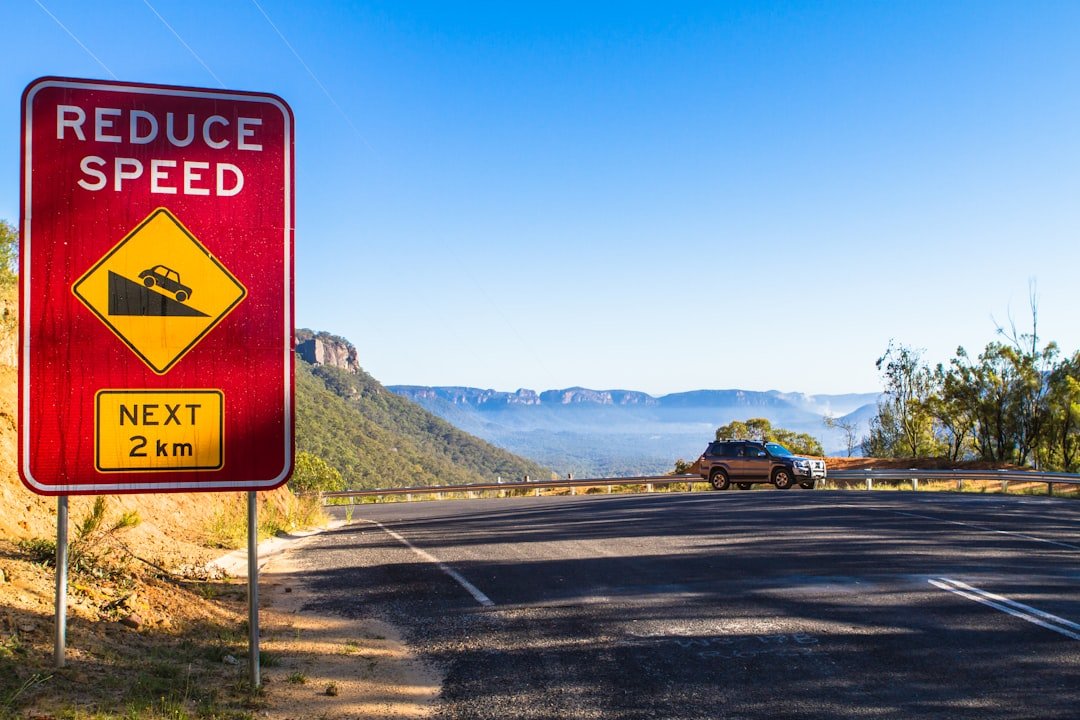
x=160 y=291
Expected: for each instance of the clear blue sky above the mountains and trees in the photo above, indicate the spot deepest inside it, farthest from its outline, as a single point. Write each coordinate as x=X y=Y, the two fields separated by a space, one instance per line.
x=652 y=196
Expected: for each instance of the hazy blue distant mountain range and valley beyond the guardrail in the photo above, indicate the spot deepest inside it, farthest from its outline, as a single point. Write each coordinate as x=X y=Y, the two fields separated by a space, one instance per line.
x=625 y=432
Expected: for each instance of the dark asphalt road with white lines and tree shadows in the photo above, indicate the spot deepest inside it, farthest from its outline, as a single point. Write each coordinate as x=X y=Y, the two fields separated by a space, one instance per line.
x=725 y=605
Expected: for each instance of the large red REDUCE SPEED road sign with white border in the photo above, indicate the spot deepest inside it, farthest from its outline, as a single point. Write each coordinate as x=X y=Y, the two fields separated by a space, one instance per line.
x=156 y=324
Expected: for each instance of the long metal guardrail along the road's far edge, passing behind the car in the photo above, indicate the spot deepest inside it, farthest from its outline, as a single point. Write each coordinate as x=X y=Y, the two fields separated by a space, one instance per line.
x=869 y=476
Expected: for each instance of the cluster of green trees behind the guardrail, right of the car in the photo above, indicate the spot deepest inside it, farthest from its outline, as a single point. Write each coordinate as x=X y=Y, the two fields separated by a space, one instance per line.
x=1018 y=402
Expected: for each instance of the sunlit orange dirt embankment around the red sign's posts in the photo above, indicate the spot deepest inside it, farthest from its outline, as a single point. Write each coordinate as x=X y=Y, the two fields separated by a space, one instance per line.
x=155 y=632
